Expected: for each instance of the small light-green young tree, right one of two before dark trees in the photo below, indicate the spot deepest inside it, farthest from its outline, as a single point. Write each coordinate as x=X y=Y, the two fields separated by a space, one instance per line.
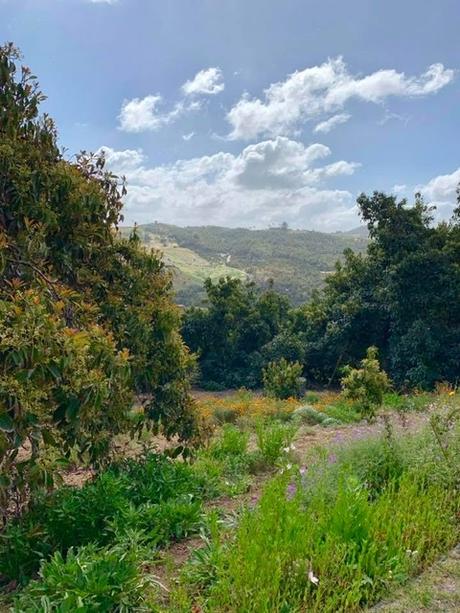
x=366 y=385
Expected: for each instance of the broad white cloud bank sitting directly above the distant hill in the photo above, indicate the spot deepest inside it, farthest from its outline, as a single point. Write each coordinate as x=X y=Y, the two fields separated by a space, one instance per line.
x=268 y=182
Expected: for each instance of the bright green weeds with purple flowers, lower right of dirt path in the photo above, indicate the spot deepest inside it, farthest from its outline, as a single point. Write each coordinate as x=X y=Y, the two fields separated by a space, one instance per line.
x=338 y=533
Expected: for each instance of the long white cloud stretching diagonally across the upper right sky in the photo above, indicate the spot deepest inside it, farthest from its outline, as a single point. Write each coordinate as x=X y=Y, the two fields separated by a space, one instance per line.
x=326 y=88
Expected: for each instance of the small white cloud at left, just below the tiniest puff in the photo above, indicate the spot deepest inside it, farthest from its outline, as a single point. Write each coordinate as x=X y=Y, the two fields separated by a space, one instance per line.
x=141 y=114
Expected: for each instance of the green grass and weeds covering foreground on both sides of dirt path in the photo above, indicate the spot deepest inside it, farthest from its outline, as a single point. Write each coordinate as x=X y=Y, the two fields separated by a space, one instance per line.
x=360 y=518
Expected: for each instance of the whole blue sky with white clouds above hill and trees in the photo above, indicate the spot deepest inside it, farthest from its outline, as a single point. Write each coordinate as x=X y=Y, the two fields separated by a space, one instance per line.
x=253 y=112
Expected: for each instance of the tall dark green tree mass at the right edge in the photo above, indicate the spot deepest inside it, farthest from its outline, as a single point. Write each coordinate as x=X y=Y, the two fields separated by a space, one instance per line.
x=402 y=297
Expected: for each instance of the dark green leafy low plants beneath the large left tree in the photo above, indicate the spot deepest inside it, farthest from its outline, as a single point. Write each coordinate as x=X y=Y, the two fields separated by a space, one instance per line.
x=158 y=495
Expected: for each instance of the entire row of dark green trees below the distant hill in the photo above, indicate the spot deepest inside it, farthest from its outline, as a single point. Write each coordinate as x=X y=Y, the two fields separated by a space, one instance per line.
x=402 y=297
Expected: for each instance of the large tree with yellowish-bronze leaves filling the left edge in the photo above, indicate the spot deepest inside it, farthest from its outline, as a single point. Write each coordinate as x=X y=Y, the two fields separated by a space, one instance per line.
x=86 y=319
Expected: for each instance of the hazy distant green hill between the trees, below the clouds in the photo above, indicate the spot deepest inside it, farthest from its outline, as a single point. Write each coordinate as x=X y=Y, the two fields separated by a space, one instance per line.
x=296 y=260
